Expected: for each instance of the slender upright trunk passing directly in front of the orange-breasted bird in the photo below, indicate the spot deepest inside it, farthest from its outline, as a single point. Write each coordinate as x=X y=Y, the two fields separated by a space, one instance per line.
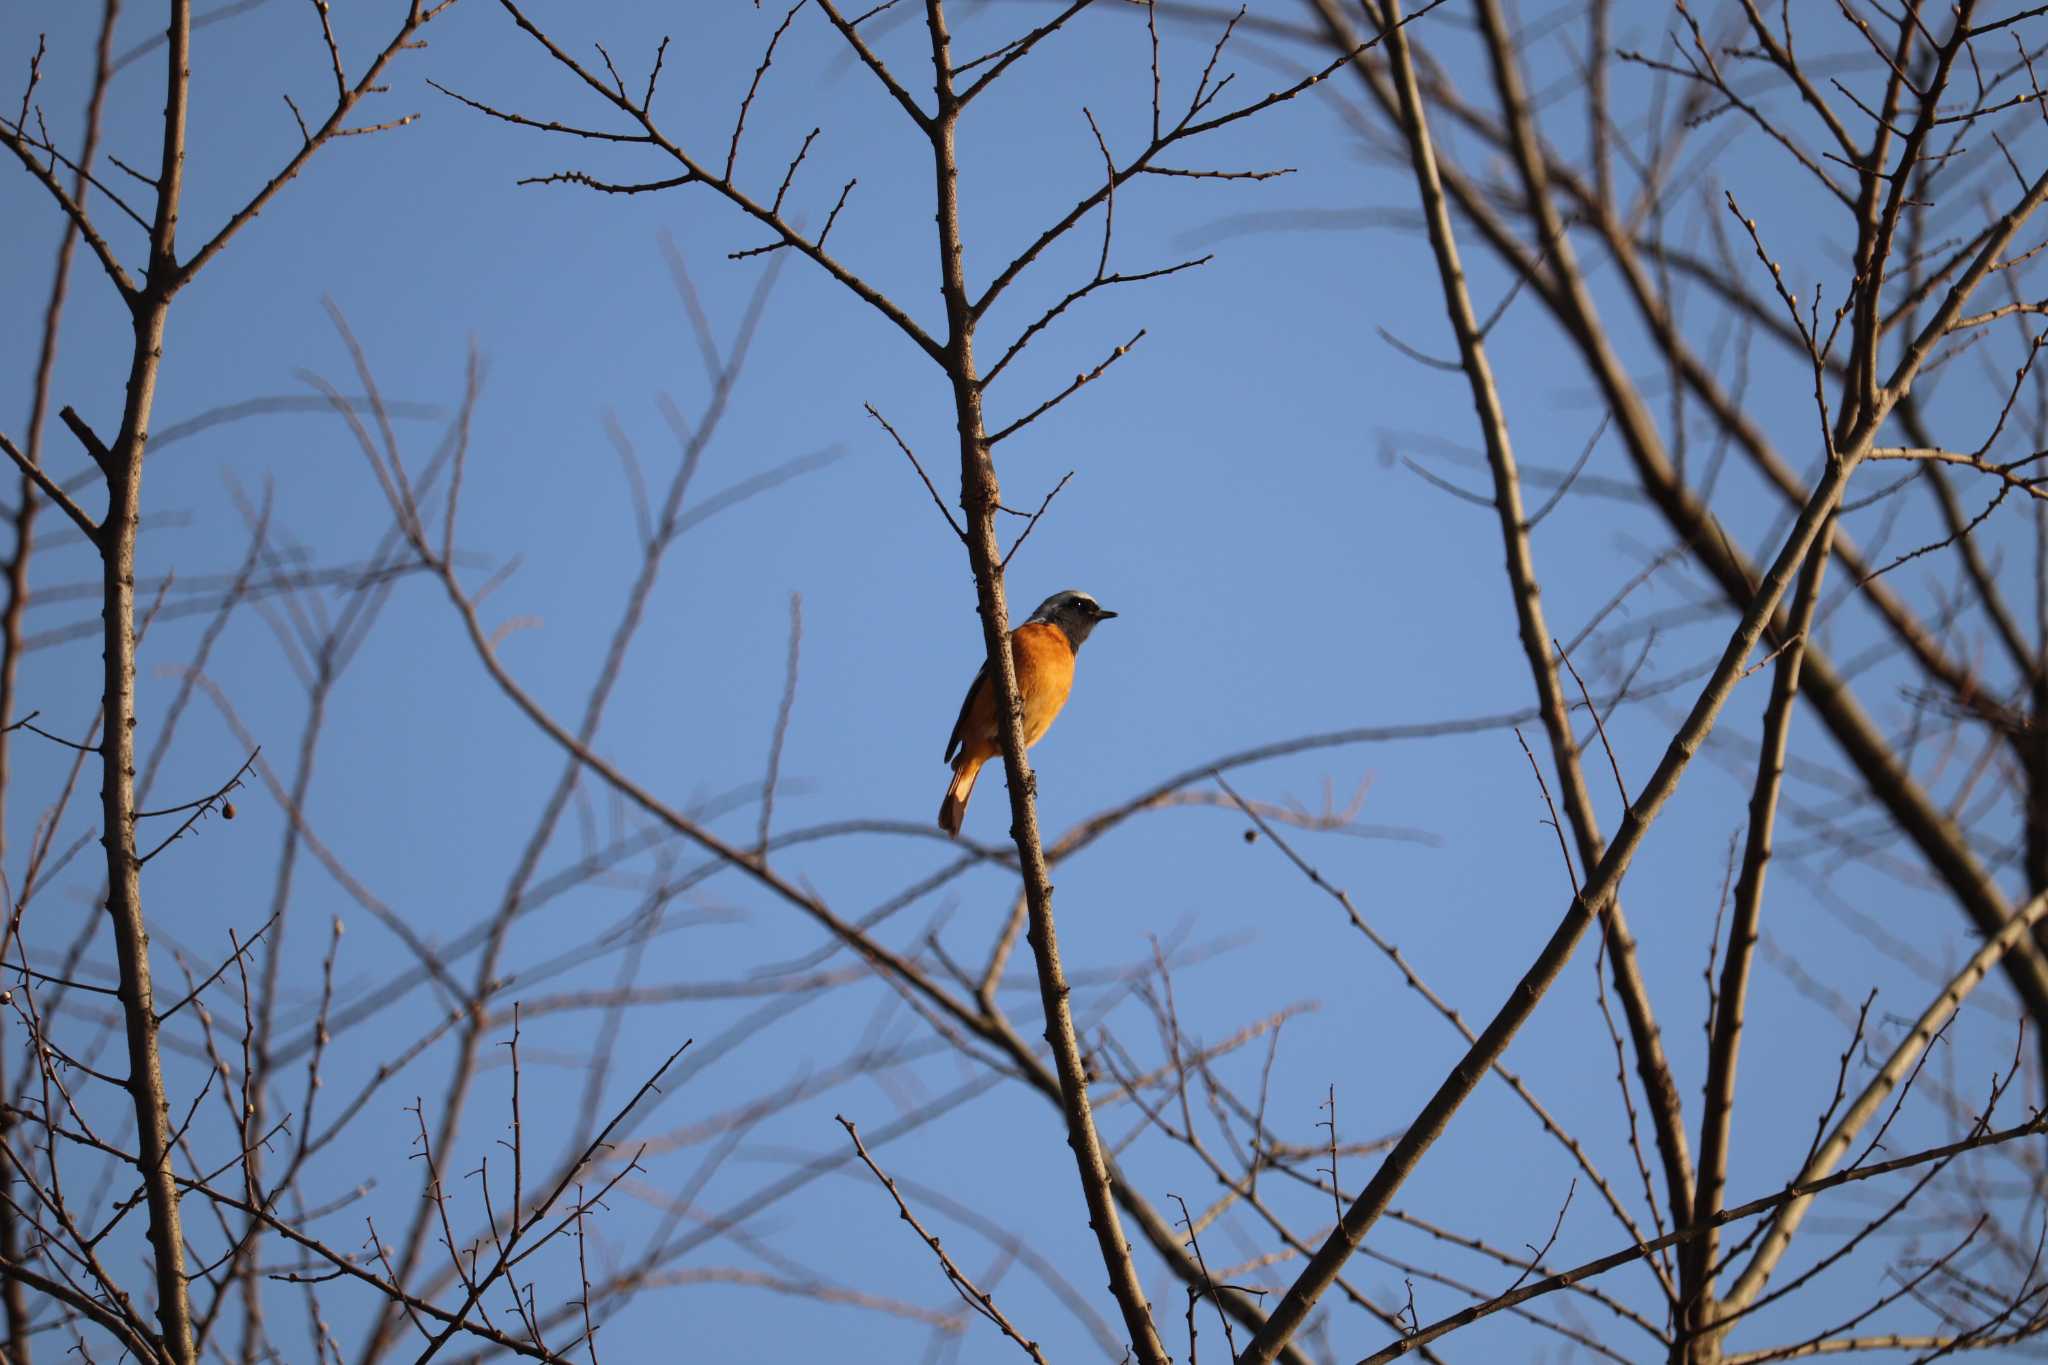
x=980 y=498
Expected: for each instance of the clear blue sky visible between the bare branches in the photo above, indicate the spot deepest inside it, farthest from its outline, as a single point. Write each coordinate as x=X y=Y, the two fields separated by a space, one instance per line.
x=1234 y=498
